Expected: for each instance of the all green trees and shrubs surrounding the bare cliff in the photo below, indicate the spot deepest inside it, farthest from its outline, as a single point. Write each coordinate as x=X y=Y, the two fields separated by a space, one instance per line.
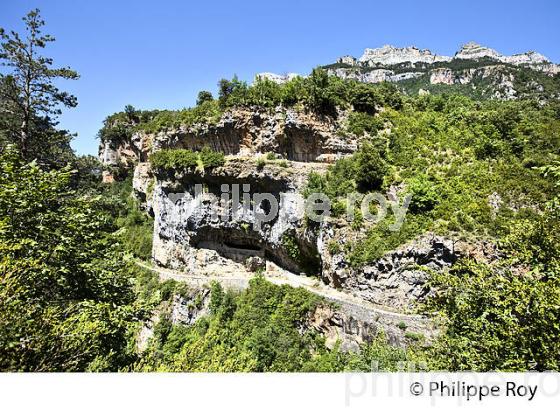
x=72 y=298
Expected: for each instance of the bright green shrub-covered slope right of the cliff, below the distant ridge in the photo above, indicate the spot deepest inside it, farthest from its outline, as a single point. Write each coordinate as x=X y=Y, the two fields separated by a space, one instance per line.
x=452 y=153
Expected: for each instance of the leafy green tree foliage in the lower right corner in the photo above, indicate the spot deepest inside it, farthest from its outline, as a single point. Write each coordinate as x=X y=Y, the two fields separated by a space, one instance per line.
x=505 y=316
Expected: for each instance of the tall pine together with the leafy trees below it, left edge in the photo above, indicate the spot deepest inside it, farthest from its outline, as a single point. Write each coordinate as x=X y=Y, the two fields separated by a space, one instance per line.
x=67 y=299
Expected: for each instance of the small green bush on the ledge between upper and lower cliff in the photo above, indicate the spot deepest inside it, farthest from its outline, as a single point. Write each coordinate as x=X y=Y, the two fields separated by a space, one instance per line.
x=177 y=159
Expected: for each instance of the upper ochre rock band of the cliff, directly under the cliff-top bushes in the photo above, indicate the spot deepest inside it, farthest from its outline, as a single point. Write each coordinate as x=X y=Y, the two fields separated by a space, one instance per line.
x=291 y=134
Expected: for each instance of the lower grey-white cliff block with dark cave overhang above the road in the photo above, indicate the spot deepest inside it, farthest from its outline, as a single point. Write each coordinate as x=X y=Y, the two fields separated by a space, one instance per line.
x=206 y=234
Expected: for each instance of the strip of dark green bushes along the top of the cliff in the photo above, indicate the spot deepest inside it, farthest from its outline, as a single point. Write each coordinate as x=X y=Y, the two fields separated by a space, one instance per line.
x=318 y=92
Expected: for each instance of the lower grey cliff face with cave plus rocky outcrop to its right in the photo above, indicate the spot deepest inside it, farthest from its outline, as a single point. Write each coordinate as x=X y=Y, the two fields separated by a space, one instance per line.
x=191 y=235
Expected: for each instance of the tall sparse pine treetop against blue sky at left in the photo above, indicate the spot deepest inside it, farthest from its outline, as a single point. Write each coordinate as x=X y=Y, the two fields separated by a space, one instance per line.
x=28 y=95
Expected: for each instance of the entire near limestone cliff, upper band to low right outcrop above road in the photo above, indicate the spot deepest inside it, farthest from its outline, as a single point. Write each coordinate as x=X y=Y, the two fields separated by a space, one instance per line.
x=191 y=235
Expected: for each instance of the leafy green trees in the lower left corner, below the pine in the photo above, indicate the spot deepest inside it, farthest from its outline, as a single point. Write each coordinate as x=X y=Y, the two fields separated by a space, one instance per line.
x=66 y=300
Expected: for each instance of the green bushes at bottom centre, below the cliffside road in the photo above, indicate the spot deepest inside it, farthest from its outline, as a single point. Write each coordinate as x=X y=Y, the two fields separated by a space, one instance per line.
x=258 y=329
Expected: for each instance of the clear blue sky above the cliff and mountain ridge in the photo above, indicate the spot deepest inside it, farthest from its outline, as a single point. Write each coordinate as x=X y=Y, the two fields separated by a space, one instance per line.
x=159 y=54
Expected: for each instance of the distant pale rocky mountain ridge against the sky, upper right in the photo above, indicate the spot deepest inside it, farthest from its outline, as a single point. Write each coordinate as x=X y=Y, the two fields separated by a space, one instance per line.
x=476 y=71
